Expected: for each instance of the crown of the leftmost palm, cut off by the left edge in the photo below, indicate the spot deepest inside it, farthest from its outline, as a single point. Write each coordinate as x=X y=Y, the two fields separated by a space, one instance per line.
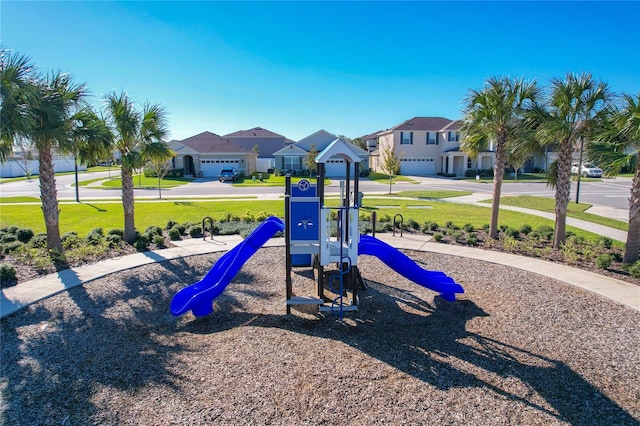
x=18 y=79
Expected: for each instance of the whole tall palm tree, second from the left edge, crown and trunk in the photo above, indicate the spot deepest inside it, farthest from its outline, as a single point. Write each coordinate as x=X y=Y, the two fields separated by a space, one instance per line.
x=59 y=99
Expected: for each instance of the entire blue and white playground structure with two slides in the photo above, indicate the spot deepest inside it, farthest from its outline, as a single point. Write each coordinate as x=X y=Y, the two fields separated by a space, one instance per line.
x=316 y=236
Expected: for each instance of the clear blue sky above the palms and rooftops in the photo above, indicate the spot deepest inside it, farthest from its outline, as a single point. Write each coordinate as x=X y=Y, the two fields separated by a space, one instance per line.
x=350 y=68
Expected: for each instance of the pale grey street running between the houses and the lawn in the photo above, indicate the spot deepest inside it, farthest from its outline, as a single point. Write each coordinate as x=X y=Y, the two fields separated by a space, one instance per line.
x=608 y=192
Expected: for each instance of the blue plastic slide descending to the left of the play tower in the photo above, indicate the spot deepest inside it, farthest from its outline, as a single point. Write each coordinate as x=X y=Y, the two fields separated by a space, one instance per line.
x=199 y=297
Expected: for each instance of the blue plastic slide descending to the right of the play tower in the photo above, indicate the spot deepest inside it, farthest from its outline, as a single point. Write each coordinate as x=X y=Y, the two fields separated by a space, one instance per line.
x=402 y=264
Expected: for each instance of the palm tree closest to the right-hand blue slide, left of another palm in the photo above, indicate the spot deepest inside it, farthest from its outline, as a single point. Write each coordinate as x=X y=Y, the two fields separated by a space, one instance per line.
x=494 y=114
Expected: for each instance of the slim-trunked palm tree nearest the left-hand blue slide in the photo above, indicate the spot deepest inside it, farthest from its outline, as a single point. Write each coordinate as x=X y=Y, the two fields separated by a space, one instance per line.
x=132 y=129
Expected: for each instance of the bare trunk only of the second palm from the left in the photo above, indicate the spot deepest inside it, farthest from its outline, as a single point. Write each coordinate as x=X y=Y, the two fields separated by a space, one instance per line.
x=49 y=198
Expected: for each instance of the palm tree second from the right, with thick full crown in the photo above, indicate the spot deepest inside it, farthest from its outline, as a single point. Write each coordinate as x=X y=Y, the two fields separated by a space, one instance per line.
x=561 y=122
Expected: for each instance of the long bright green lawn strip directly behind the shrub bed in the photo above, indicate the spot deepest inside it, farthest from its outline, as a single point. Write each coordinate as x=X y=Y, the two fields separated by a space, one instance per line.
x=86 y=216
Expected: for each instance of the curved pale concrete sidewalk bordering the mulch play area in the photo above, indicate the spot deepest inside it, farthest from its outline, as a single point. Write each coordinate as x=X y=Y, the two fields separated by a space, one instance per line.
x=15 y=298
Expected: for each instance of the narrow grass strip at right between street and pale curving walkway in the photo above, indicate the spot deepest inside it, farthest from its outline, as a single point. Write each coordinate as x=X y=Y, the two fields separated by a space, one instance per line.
x=548 y=205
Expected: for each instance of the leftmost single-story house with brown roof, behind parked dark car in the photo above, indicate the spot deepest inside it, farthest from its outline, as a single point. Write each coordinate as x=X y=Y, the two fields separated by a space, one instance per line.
x=206 y=153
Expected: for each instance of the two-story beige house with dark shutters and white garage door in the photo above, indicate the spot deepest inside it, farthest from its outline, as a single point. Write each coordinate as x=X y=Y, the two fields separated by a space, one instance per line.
x=426 y=146
